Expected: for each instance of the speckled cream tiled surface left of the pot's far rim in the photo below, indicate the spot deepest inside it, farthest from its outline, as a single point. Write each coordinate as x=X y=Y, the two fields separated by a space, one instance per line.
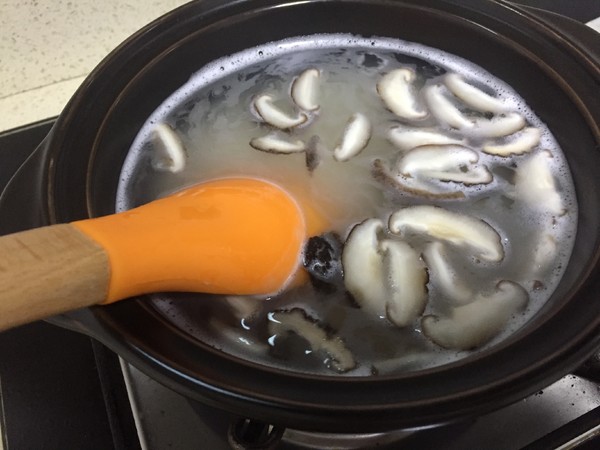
x=48 y=46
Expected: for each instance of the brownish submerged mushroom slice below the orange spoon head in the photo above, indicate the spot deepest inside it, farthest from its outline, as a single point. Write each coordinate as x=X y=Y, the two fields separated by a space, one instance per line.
x=298 y=322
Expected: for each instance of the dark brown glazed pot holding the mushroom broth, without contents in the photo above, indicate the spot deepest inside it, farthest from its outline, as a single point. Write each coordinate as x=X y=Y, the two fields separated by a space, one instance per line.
x=74 y=174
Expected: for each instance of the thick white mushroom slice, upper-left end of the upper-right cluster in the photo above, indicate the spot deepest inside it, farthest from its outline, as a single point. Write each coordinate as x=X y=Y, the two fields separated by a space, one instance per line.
x=396 y=89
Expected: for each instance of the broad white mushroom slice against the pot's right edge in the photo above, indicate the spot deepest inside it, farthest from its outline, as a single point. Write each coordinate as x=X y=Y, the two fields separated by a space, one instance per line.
x=535 y=185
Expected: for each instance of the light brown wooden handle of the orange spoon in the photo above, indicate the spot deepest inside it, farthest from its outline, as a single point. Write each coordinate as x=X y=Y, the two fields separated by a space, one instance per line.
x=48 y=271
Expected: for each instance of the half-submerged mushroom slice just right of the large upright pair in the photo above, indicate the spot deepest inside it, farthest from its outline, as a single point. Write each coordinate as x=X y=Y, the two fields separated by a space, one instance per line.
x=444 y=276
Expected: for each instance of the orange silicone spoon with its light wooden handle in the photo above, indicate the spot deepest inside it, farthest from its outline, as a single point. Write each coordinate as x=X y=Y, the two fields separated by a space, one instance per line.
x=228 y=236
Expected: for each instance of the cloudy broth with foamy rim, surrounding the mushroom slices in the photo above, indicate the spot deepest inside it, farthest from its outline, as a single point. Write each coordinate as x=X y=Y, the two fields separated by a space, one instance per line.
x=212 y=116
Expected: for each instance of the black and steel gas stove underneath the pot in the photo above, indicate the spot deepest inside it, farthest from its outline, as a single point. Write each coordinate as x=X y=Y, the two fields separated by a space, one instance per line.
x=63 y=390
